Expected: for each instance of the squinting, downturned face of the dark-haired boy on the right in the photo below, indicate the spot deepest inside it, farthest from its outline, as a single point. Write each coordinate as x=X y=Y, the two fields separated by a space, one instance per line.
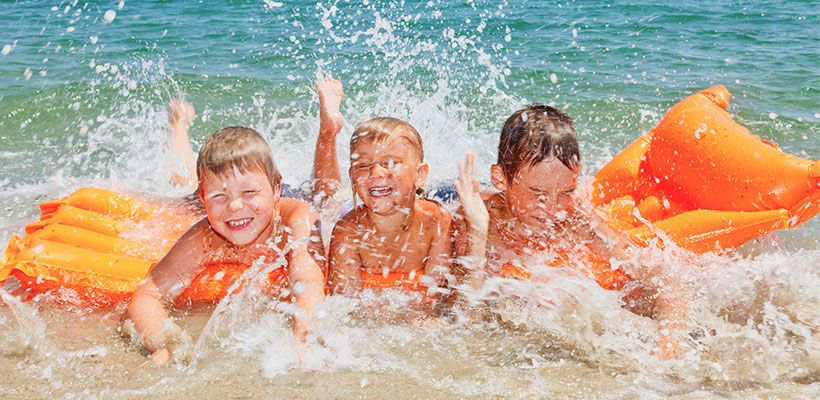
x=539 y=193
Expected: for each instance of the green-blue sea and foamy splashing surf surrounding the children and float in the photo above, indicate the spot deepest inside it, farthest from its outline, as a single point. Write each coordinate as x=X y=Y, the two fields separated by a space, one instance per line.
x=83 y=91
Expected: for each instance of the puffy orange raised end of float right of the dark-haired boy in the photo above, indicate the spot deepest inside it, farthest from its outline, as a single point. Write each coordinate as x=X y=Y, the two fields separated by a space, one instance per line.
x=702 y=181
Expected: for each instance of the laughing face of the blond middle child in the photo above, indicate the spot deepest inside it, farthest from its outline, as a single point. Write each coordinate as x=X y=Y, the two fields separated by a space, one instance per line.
x=386 y=173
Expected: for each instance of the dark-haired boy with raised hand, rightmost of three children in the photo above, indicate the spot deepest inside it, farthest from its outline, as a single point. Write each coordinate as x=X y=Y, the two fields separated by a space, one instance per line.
x=533 y=214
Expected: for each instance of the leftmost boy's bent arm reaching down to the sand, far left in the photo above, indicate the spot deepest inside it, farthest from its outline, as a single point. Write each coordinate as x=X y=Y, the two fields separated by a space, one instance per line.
x=167 y=279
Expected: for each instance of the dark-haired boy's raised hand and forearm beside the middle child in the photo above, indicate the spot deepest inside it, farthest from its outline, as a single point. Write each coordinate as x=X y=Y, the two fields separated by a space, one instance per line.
x=470 y=228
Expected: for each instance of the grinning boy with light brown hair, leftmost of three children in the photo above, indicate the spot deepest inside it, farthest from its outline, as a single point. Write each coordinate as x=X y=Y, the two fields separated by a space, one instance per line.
x=240 y=188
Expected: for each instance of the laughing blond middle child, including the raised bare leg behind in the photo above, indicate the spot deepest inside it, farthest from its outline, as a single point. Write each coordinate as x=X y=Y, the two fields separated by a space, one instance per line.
x=396 y=237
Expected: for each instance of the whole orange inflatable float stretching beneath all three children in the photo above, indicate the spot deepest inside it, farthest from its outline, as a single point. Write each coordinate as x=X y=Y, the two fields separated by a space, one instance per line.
x=698 y=179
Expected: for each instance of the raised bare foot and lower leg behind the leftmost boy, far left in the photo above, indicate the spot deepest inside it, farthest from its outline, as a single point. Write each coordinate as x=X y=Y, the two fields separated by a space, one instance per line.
x=180 y=115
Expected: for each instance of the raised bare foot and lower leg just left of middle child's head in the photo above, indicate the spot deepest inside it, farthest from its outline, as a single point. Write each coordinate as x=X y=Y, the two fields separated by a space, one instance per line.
x=325 y=161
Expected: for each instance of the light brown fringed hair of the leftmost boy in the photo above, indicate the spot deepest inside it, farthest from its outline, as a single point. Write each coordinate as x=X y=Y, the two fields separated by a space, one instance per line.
x=236 y=148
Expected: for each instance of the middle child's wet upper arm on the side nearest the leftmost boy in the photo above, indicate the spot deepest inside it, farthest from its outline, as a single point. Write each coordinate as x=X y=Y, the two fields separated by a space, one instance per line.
x=345 y=264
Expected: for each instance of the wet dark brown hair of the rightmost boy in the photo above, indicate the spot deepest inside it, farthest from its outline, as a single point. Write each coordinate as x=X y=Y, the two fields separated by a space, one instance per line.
x=534 y=134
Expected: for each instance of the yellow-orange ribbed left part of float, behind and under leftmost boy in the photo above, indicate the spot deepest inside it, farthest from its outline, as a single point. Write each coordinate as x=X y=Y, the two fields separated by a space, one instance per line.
x=101 y=244
